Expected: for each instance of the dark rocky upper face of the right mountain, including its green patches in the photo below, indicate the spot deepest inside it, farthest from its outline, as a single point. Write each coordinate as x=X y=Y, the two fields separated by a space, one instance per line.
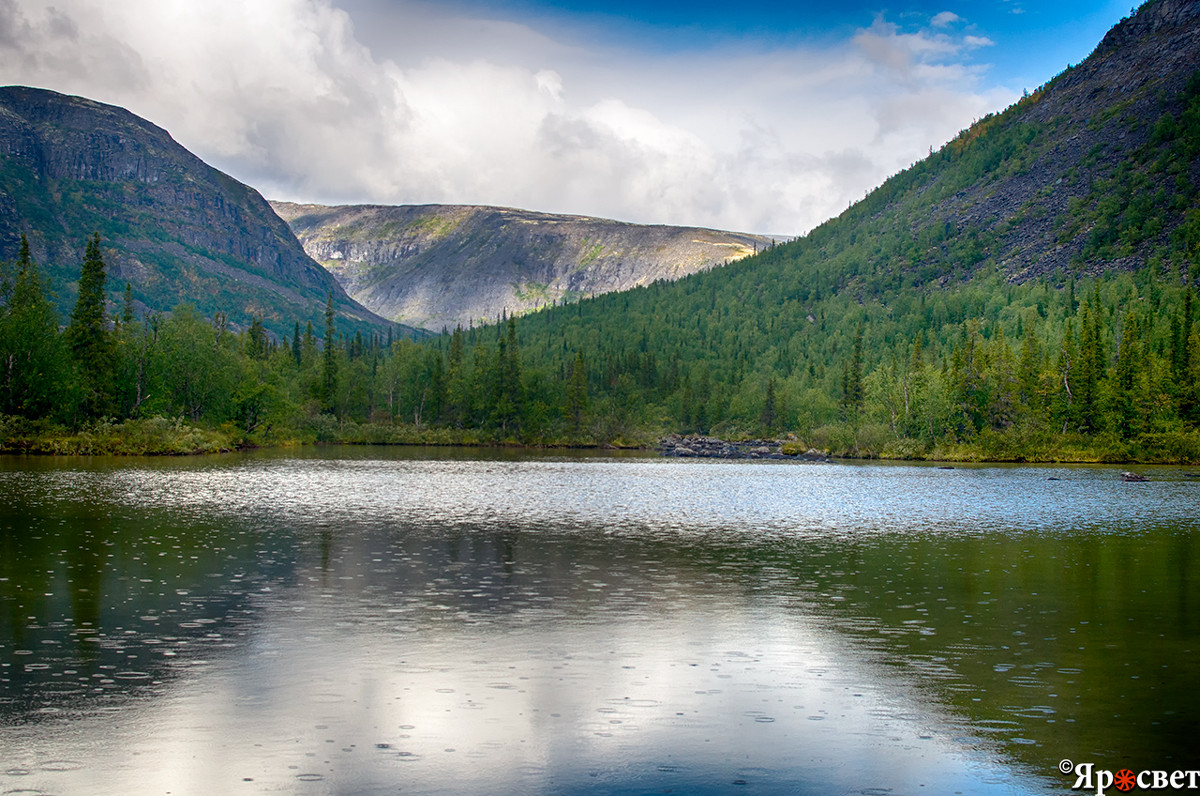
x=1051 y=200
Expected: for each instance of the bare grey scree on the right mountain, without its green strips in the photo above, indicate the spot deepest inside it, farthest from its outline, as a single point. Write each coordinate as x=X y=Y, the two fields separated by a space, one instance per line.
x=1096 y=115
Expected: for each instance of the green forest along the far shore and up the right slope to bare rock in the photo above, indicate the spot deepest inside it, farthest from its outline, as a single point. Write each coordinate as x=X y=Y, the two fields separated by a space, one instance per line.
x=887 y=332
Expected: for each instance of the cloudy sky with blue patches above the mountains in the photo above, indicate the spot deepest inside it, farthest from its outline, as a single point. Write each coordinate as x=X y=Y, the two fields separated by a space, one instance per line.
x=755 y=116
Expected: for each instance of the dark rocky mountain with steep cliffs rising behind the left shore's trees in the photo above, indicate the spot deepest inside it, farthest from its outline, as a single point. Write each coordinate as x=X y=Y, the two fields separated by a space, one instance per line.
x=172 y=226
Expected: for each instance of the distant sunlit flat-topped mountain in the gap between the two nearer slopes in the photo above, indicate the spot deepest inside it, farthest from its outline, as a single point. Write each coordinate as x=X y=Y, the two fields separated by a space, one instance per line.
x=442 y=266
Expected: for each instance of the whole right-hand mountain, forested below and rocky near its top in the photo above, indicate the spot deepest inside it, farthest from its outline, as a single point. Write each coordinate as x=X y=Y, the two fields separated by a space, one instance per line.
x=1033 y=279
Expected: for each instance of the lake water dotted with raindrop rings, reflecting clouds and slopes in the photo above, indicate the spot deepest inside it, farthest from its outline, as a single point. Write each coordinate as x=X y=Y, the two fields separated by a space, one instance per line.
x=388 y=620
